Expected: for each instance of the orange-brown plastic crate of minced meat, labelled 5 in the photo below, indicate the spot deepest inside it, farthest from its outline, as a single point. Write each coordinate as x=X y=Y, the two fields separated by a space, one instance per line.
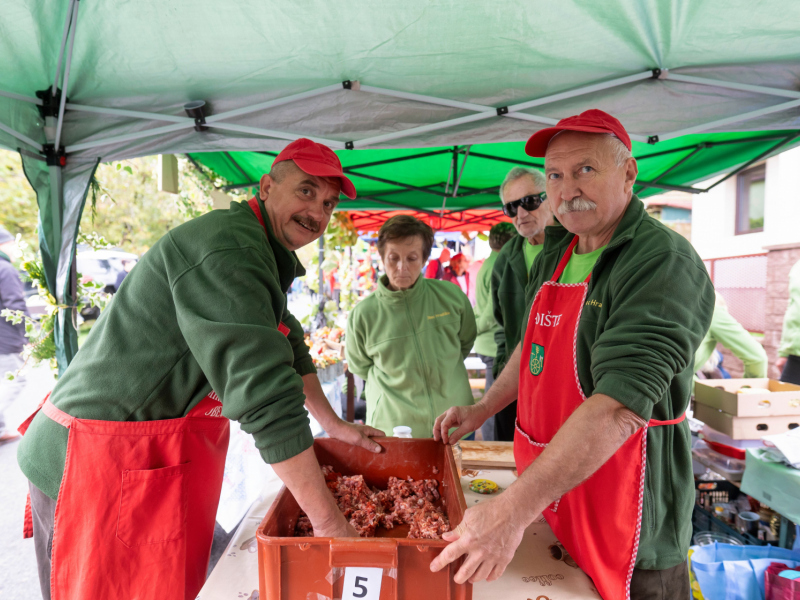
x=292 y=568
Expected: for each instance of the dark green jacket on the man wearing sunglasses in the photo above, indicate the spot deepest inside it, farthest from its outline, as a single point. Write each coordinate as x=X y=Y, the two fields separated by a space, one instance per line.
x=509 y=280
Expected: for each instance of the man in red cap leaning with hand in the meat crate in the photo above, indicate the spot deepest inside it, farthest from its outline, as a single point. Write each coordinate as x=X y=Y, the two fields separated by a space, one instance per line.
x=126 y=458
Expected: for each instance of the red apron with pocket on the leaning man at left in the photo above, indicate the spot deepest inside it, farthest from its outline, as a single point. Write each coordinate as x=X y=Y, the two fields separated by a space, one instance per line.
x=137 y=504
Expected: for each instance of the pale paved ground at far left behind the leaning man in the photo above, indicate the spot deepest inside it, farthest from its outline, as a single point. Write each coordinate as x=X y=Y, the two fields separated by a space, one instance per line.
x=18 y=578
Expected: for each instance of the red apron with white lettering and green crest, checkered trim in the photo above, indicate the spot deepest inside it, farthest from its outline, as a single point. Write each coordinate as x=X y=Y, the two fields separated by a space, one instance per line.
x=599 y=521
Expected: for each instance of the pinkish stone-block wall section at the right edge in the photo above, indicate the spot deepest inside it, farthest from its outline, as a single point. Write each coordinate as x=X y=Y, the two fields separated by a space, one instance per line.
x=780 y=260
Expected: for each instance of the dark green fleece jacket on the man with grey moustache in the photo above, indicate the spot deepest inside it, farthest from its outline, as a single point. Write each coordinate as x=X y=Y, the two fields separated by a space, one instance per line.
x=648 y=306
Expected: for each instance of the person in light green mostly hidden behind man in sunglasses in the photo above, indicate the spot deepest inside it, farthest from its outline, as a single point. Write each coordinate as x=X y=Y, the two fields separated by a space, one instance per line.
x=485 y=346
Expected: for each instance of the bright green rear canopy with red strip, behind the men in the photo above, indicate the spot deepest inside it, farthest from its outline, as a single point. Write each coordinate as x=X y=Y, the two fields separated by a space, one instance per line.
x=456 y=189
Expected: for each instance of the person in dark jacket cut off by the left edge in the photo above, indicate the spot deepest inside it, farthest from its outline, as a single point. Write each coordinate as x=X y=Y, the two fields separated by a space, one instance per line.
x=12 y=337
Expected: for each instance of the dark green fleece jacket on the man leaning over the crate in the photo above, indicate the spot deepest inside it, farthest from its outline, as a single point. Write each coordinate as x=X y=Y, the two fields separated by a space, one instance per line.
x=200 y=311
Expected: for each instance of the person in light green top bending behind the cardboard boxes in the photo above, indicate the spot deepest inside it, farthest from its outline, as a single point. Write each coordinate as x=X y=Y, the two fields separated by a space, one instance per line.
x=728 y=331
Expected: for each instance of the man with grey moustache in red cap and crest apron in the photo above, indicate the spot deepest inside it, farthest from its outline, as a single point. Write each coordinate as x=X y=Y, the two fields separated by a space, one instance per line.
x=618 y=305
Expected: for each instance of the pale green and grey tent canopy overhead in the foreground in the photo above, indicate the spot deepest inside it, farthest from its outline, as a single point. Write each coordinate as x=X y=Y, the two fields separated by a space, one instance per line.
x=90 y=80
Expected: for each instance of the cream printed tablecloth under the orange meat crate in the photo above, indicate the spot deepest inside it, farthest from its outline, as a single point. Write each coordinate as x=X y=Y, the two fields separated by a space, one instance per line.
x=533 y=574
